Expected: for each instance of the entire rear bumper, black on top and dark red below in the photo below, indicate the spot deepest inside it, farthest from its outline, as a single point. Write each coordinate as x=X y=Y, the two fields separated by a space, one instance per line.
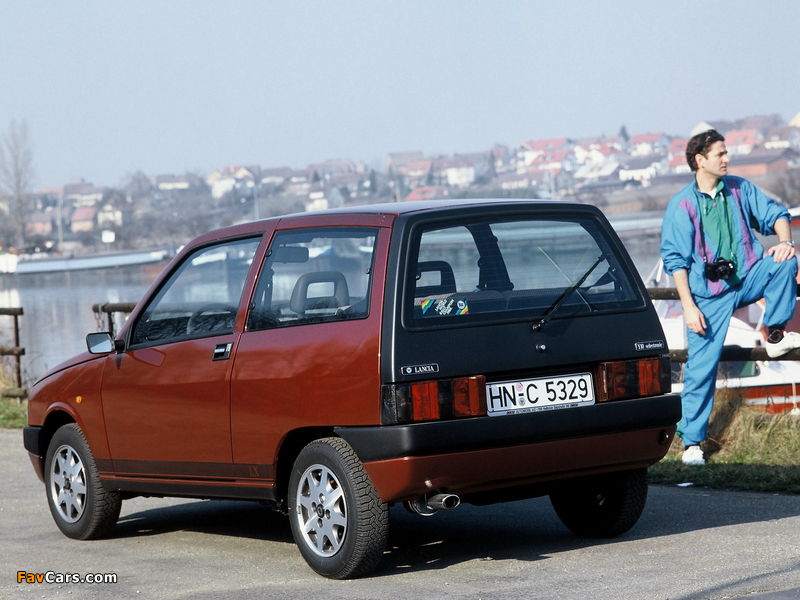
x=474 y=455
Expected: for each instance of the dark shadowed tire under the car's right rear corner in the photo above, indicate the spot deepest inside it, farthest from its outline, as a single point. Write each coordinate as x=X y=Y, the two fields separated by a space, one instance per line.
x=601 y=505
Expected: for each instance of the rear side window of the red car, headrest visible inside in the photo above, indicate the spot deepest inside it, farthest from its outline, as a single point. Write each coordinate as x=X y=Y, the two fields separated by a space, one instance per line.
x=313 y=275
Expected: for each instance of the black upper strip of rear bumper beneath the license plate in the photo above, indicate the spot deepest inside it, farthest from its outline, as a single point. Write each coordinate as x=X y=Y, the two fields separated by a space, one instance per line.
x=442 y=437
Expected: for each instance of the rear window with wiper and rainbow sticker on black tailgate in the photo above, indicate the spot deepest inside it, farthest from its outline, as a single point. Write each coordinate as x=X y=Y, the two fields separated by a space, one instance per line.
x=514 y=268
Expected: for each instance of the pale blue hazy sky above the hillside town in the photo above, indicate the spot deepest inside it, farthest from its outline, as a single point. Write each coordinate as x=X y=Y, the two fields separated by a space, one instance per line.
x=110 y=88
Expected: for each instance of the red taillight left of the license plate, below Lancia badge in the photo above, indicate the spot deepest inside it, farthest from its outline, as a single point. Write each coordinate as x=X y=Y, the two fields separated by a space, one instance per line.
x=439 y=399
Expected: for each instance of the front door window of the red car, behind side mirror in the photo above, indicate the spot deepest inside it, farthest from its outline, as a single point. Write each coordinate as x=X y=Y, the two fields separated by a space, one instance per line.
x=202 y=296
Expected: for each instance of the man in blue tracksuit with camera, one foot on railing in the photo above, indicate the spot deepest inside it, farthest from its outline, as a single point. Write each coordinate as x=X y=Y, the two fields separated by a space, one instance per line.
x=709 y=248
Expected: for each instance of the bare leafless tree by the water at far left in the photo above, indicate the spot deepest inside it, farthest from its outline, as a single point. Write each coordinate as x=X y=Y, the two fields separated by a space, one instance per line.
x=16 y=176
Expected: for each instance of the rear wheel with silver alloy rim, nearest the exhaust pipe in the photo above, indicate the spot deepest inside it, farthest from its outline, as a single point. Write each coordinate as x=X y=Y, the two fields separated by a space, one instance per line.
x=338 y=521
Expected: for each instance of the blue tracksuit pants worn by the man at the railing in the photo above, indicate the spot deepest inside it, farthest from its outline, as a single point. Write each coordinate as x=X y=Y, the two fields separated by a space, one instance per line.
x=775 y=282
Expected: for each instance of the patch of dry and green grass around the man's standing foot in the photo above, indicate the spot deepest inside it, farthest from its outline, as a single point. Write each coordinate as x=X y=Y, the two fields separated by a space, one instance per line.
x=745 y=450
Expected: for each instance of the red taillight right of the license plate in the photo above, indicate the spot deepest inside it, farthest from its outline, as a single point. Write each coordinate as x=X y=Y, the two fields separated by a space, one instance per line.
x=633 y=378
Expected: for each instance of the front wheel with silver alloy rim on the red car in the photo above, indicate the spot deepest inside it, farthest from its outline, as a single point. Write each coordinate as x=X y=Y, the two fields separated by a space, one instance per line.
x=81 y=508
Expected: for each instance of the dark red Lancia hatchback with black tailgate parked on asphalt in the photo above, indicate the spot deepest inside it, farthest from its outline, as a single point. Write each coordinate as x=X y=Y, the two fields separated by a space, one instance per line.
x=332 y=364
